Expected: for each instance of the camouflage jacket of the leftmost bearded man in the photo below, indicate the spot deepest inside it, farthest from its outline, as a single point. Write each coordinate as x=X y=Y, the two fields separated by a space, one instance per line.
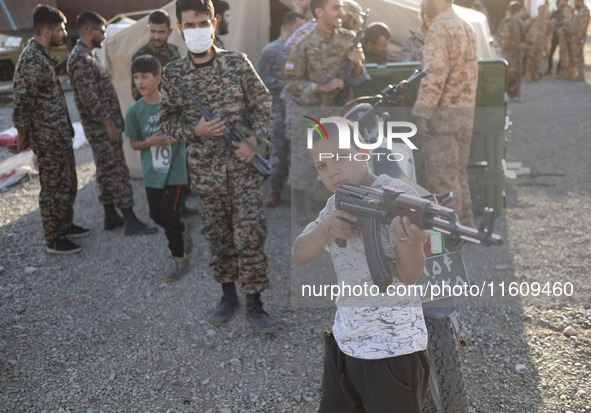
x=39 y=104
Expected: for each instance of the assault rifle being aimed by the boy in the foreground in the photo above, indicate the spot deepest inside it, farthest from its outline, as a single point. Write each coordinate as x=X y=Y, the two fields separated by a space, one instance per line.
x=374 y=207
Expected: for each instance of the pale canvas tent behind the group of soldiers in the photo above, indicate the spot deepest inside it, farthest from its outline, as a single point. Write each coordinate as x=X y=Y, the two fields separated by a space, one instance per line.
x=249 y=33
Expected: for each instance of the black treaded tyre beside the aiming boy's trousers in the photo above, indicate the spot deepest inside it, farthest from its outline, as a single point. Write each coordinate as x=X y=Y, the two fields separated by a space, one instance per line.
x=447 y=390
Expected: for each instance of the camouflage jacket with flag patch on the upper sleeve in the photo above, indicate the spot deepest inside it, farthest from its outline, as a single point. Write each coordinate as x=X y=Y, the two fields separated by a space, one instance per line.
x=318 y=58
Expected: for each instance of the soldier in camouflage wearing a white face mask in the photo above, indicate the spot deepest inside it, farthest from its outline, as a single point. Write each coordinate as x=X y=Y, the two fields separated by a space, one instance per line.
x=229 y=186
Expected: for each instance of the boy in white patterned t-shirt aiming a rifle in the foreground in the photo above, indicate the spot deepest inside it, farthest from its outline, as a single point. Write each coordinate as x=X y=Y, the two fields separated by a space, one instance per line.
x=375 y=357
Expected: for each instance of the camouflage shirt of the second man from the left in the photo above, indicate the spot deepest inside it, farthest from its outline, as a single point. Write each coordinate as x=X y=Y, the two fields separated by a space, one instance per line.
x=94 y=92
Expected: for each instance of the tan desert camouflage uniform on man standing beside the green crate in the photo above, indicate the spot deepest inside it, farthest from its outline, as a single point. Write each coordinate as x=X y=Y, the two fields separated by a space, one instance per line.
x=446 y=98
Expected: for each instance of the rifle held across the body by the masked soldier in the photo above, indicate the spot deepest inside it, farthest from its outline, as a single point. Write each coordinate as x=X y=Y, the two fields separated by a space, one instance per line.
x=236 y=134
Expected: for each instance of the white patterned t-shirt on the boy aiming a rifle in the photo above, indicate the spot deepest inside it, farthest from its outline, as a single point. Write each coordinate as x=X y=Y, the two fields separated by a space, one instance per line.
x=372 y=327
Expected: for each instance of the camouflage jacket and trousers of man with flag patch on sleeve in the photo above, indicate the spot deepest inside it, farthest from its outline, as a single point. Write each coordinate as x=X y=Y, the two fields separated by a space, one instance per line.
x=318 y=58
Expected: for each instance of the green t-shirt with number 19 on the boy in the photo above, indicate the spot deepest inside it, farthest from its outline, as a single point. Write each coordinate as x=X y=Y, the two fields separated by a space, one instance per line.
x=161 y=166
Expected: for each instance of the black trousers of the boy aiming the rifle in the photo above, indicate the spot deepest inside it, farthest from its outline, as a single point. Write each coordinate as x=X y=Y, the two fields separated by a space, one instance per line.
x=393 y=385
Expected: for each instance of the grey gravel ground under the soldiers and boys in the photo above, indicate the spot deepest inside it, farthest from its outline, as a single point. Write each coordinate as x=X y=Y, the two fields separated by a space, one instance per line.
x=101 y=331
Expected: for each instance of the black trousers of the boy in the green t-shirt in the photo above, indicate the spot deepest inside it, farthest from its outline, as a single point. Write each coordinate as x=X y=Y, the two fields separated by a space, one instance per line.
x=165 y=210
